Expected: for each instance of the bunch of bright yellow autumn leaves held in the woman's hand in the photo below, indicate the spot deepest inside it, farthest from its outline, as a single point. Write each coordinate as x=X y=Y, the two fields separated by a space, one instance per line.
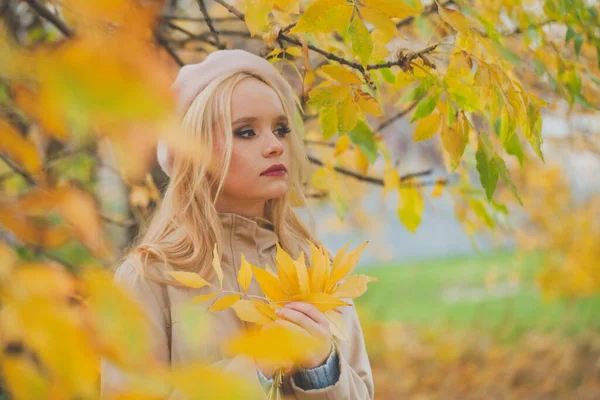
x=323 y=284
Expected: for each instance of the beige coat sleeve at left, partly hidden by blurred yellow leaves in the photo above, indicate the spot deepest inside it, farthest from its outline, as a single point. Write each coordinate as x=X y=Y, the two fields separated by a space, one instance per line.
x=151 y=296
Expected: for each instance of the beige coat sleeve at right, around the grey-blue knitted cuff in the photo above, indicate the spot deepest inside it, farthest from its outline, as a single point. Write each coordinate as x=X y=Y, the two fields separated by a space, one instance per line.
x=356 y=378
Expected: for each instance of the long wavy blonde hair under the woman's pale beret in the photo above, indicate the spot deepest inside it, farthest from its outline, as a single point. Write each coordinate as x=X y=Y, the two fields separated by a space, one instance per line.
x=188 y=201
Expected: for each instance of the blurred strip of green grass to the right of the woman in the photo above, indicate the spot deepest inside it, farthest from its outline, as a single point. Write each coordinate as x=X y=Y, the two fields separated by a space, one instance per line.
x=414 y=293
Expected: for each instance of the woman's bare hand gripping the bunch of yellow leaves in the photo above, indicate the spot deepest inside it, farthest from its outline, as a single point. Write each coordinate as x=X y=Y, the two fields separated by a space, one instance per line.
x=305 y=316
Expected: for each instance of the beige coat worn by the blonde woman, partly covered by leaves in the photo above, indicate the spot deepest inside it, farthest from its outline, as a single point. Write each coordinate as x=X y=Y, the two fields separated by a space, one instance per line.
x=255 y=239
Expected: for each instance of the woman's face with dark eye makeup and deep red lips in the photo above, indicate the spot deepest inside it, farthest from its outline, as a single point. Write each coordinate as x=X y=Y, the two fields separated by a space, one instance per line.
x=260 y=130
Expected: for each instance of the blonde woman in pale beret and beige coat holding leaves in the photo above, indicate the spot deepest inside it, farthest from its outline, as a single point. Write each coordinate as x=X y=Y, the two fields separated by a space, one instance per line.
x=239 y=198
